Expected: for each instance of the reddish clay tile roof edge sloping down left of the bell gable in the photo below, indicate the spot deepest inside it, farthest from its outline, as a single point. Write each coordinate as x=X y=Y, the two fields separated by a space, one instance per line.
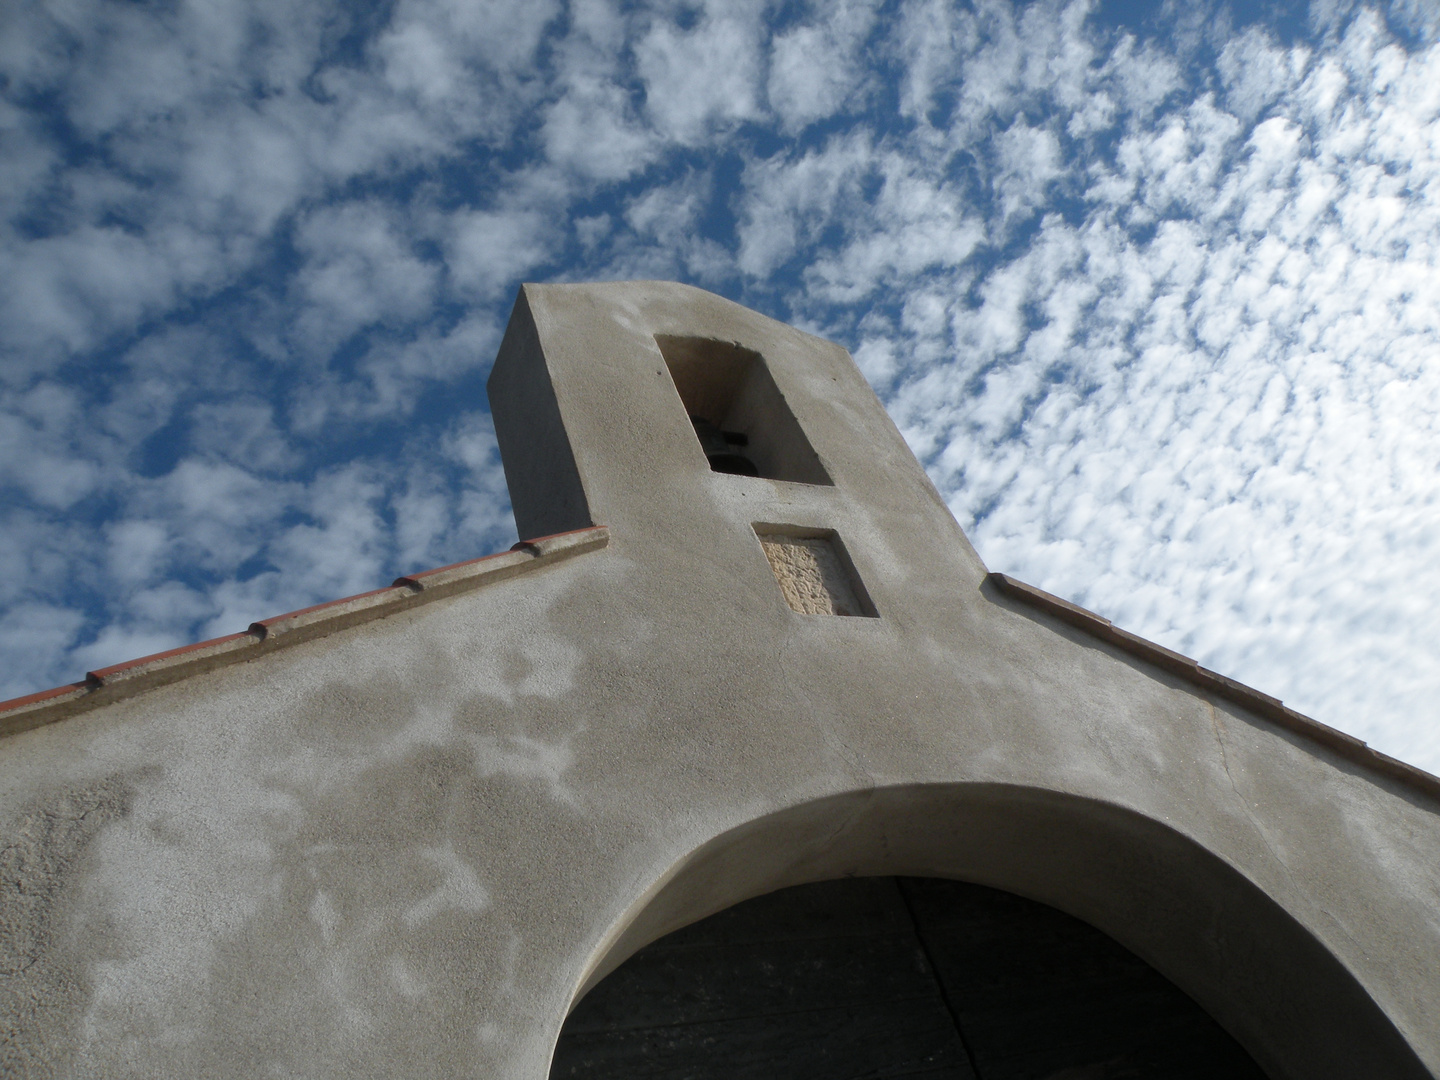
x=123 y=680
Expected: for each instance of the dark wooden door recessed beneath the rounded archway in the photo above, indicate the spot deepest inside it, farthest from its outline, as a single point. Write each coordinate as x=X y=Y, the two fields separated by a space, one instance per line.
x=892 y=978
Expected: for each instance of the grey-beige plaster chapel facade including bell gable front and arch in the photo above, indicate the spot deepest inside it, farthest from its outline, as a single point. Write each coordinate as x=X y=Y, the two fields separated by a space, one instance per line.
x=404 y=849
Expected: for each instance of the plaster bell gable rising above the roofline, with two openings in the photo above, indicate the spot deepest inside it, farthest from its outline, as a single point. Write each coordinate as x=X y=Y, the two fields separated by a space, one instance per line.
x=689 y=424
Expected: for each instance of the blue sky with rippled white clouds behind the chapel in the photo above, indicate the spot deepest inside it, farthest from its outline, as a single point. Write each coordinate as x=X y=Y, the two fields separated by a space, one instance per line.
x=1151 y=290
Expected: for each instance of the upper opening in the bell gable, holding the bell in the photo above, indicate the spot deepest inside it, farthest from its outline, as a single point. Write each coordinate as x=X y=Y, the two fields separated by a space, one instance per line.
x=739 y=415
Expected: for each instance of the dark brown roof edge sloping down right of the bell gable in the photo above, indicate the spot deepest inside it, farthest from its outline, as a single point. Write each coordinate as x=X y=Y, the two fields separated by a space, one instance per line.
x=1223 y=686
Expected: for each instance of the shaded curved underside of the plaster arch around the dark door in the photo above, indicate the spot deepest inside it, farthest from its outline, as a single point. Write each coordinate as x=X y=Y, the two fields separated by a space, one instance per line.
x=1180 y=908
